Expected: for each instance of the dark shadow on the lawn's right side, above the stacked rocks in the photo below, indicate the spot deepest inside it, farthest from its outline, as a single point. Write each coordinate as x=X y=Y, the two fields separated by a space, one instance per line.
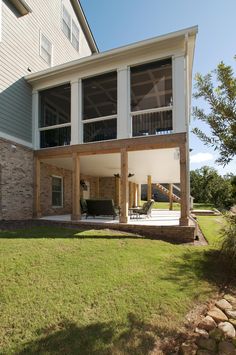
x=198 y=265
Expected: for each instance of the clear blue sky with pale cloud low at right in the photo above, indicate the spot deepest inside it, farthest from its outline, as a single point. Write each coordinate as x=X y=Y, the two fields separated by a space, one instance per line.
x=116 y=23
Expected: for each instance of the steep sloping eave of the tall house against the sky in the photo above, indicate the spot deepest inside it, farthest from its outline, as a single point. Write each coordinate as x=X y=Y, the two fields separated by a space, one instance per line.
x=85 y=25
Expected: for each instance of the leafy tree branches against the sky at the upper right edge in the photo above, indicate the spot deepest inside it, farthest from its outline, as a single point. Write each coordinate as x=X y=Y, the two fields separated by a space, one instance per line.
x=221 y=118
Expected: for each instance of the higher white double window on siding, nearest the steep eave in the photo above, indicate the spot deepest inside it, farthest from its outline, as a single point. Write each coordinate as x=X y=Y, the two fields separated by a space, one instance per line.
x=70 y=28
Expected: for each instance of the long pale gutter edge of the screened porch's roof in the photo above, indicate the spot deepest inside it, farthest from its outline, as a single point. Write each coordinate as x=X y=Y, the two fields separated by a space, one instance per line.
x=192 y=31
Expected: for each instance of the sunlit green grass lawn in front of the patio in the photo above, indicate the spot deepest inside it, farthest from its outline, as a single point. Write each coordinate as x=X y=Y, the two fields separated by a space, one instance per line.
x=99 y=292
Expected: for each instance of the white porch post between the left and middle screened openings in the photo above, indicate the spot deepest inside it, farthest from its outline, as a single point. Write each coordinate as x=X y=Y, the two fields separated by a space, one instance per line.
x=76 y=112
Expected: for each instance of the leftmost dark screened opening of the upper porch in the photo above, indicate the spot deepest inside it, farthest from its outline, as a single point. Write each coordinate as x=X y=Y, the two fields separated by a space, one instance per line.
x=54 y=123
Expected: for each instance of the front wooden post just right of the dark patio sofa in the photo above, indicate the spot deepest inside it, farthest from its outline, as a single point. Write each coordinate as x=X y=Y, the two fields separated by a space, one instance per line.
x=124 y=187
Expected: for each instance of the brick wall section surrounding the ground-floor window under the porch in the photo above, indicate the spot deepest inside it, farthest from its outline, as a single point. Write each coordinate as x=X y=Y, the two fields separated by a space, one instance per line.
x=47 y=171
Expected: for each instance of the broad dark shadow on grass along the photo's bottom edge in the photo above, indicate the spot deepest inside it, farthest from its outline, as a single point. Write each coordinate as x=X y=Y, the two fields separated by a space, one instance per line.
x=135 y=337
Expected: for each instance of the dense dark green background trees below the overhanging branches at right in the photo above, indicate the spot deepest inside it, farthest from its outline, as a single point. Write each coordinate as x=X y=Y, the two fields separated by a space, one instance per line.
x=207 y=186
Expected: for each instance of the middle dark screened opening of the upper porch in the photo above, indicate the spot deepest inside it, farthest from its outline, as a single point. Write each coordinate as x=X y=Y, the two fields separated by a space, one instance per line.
x=100 y=107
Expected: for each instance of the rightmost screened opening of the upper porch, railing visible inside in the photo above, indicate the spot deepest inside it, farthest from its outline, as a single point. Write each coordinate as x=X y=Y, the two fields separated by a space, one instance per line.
x=151 y=98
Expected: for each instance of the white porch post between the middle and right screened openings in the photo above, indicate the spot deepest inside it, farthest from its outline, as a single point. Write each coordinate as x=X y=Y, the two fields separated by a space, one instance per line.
x=123 y=107
